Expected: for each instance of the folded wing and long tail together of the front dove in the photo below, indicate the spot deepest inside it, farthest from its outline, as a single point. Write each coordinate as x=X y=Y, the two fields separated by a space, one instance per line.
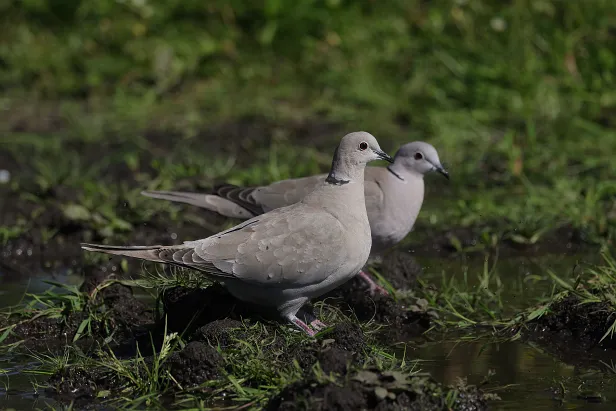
x=291 y=246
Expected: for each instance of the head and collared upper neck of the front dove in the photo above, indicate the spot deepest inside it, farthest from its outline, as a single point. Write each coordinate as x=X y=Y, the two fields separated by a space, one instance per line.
x=353 y=152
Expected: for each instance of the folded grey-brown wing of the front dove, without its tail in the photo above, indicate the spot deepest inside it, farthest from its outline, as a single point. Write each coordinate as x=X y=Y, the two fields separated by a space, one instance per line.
x=291 y=246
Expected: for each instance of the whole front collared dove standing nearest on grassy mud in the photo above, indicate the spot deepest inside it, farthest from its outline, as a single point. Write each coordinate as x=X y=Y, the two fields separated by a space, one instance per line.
x=287 y=256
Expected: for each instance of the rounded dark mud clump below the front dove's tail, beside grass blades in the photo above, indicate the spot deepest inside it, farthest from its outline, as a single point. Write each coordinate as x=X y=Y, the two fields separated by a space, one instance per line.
x=195 y=364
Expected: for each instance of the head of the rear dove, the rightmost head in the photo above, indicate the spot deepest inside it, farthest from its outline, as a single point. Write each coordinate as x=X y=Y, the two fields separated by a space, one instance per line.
x=418 y=157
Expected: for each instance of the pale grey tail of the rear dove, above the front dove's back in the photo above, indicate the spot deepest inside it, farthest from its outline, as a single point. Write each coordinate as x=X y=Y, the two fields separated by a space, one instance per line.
x=213 y=202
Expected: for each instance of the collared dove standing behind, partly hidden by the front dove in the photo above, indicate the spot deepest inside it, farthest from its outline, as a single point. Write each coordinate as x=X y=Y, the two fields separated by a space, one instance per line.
x=393 y=196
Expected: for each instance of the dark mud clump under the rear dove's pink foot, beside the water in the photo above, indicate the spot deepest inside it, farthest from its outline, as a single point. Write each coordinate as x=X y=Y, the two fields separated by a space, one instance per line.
x=402 y=320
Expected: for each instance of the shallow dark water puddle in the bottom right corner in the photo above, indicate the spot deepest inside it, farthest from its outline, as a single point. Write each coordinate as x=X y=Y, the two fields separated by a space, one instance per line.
x=524 y=376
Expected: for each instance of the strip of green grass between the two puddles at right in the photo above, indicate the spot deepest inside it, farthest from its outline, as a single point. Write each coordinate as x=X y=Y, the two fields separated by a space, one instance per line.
x=480 y=301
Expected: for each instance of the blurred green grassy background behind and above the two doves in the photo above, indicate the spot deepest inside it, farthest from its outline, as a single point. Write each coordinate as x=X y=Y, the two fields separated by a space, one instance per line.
x=518 y=96
